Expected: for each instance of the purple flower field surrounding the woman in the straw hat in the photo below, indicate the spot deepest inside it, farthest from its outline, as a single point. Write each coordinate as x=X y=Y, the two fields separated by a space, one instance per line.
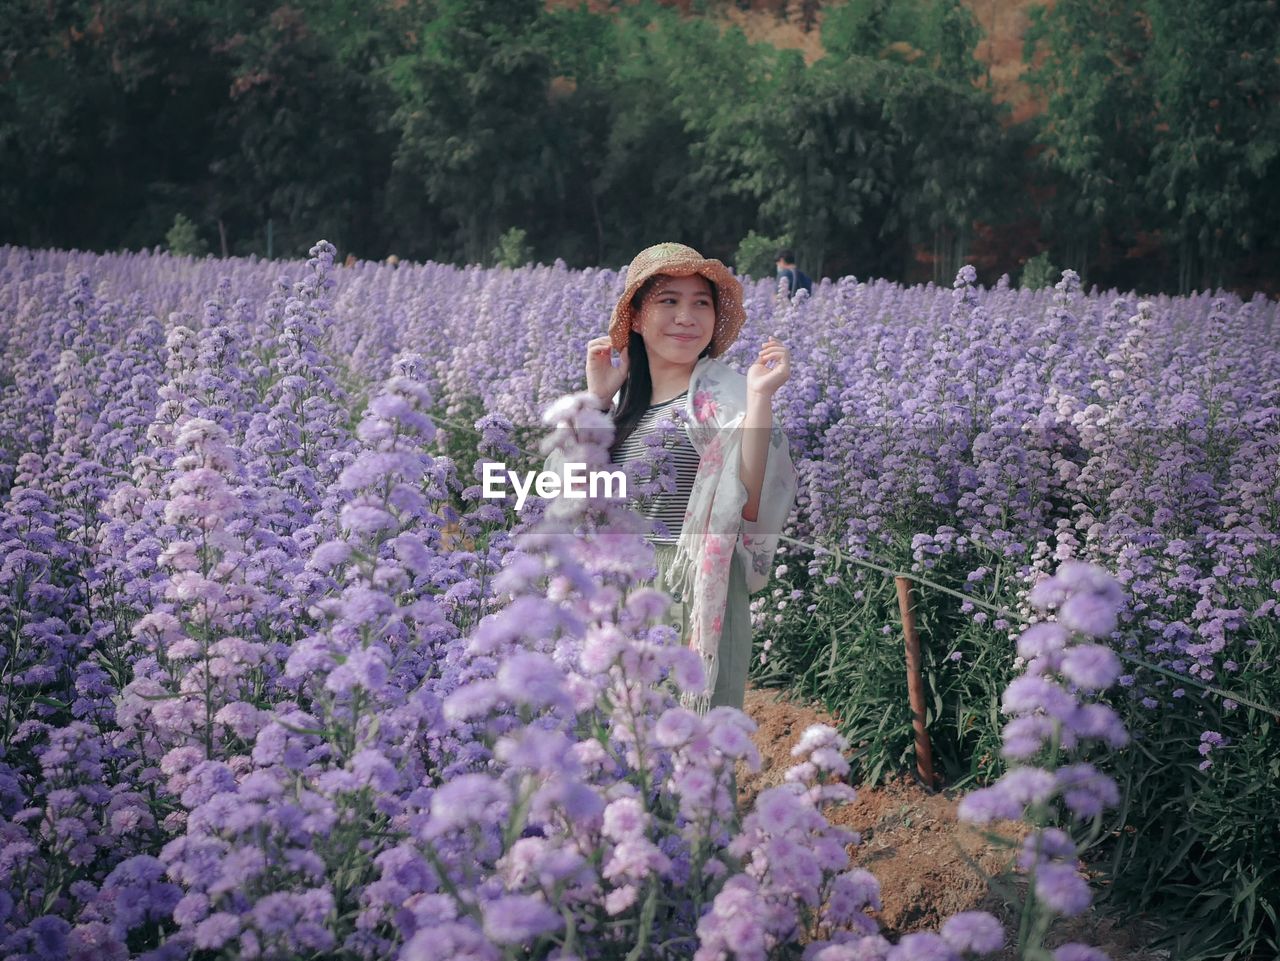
x=277 y=683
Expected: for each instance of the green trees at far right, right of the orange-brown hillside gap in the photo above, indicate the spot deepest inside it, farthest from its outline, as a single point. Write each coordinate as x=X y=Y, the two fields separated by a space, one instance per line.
x=1163 y=126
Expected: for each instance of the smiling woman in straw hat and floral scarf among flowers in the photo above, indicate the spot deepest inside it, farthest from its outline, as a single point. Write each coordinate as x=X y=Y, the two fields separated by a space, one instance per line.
x=735 y=483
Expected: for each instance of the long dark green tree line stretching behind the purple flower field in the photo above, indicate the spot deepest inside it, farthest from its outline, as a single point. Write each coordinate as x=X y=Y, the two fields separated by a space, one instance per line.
x=433 y=129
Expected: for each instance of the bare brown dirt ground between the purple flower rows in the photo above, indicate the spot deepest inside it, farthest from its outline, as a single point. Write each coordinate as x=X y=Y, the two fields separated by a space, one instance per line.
x=930 y=866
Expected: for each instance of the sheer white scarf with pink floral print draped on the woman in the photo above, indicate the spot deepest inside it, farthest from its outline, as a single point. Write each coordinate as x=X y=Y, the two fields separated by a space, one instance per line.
x=715 y=528
